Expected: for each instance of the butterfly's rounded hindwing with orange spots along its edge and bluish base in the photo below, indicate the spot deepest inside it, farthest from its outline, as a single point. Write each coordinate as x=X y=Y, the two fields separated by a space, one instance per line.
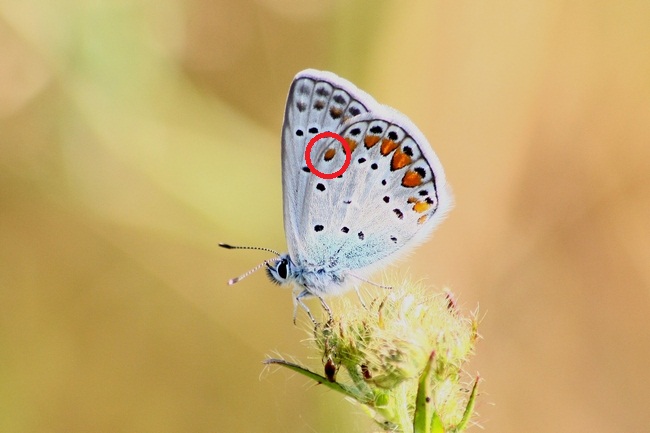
x=391 y=197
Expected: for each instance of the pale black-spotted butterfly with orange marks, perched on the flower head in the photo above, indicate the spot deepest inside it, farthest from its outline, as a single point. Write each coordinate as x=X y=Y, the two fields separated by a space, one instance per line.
x=389 y=199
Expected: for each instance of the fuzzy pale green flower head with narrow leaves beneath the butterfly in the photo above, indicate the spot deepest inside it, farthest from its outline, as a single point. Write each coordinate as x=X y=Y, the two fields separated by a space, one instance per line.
x=401 y=357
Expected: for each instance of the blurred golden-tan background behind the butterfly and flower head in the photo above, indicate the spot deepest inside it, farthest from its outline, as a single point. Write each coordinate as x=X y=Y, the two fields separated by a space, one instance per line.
x=136 y=135
